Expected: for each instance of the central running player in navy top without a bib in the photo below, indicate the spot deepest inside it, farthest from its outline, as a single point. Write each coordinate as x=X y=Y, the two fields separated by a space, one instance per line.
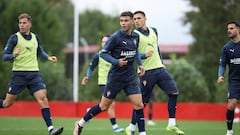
x=121 y=51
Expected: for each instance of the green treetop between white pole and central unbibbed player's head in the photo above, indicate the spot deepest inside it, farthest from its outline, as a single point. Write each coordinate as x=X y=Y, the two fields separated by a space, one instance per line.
x=94 y=24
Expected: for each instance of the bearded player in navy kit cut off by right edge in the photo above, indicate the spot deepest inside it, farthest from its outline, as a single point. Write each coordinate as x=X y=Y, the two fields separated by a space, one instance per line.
x=231 y=56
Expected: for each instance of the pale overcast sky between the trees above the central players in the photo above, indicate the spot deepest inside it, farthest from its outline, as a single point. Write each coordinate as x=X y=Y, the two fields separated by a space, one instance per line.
x=164 y=15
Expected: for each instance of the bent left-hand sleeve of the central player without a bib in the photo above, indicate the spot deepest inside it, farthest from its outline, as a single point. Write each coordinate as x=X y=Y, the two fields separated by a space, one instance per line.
x=105 y=52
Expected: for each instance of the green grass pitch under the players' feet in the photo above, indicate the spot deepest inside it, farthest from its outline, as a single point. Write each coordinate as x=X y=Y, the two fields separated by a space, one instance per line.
x=36 y=126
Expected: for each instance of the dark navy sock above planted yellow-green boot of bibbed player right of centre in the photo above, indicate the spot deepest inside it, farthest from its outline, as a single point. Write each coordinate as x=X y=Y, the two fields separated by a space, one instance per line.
x=172 y=103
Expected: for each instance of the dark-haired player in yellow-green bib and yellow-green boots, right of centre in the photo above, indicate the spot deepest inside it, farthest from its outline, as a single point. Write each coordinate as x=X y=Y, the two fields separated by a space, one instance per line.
x=156 y=74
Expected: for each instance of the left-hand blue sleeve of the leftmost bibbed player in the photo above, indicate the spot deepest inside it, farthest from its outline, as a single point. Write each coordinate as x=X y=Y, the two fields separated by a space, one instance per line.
x=8 y=50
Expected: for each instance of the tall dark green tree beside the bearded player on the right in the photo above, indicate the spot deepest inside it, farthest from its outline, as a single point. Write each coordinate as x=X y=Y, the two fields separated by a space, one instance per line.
x=208 y=21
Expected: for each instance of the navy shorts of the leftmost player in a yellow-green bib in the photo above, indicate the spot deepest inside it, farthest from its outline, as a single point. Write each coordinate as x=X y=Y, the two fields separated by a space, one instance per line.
x=20 y=80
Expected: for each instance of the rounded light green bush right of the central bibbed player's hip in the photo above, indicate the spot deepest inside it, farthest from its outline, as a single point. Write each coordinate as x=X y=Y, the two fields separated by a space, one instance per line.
x=190 y=81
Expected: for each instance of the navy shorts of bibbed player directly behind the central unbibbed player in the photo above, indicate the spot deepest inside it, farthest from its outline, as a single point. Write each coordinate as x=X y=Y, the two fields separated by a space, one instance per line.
x=158 y=77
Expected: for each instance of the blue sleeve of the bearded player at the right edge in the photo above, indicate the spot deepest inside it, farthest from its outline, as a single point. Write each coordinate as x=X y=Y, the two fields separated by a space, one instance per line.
x=222 y=63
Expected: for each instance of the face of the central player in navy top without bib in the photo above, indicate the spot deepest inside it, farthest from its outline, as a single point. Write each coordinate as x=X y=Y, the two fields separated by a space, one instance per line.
x=126 y=23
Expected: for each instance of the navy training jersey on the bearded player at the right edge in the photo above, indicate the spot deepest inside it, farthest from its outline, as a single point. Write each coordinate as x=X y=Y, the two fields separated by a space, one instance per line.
x=230 y=56
